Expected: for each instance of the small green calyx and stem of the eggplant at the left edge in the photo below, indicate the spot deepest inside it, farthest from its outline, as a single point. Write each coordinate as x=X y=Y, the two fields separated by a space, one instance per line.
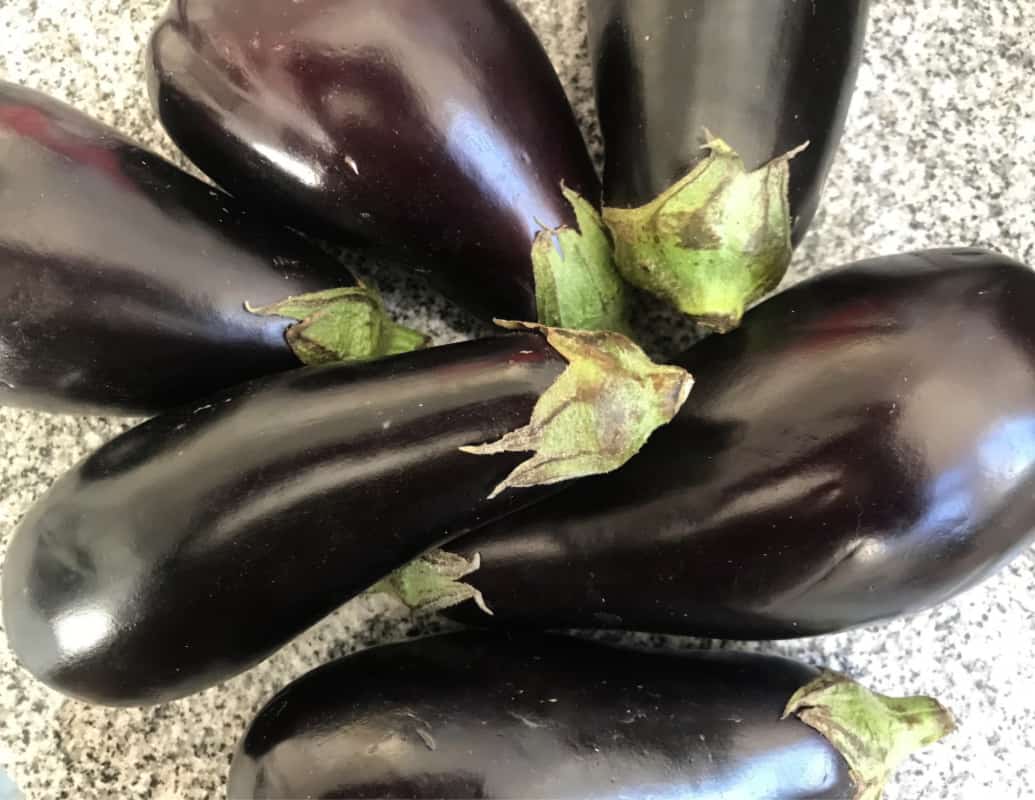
x=346 y=324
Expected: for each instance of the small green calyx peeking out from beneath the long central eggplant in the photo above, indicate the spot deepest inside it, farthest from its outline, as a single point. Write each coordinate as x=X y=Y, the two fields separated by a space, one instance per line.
x=432 y=582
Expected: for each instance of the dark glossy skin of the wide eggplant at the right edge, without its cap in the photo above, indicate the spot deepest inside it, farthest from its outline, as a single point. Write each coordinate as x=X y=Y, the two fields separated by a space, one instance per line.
x=863 y=448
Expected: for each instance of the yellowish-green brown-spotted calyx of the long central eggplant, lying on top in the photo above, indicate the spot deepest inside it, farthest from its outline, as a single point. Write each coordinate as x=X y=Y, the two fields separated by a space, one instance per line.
x=597 y=416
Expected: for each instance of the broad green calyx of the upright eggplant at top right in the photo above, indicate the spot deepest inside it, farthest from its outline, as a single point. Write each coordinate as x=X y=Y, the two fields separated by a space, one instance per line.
x=713 y=244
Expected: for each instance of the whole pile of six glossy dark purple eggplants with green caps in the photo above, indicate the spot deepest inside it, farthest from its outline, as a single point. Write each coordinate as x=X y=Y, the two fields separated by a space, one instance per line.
x=857 y=448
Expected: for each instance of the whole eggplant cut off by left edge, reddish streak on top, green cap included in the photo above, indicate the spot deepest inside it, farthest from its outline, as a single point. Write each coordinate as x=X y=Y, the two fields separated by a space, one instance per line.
x=125 y=281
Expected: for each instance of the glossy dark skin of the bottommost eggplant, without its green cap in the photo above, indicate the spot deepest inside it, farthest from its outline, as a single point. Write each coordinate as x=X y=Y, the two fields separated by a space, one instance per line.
x=486 y=717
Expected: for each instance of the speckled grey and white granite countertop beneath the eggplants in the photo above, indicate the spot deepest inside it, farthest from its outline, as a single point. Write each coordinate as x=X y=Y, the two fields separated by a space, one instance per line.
x=940 y=150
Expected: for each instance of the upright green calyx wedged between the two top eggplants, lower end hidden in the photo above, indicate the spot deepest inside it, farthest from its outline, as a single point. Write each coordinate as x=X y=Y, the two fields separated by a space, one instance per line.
x=577 y=284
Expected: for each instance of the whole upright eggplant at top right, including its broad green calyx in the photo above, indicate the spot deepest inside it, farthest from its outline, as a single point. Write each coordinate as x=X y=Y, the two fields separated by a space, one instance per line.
x=703 y=104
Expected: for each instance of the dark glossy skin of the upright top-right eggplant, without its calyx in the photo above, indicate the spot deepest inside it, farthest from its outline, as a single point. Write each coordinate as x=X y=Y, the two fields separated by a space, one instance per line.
x=765 y=77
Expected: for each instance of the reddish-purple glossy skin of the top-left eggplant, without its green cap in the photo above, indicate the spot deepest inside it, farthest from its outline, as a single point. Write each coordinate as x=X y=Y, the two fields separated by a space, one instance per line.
x=433 y=128
